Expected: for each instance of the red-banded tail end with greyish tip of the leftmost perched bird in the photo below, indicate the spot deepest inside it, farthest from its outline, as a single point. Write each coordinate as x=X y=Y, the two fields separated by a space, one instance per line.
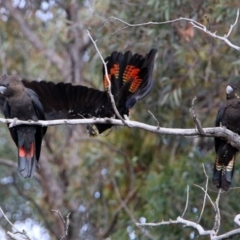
x=27 y=160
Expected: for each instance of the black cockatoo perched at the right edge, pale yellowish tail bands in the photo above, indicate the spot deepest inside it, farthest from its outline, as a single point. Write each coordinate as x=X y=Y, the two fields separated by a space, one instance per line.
x=229 y=117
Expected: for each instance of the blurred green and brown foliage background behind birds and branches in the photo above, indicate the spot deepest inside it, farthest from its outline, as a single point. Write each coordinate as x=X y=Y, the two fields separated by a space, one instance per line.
x=82 y=175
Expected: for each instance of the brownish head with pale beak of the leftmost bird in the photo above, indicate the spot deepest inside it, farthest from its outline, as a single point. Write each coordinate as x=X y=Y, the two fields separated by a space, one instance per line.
x=10 y=85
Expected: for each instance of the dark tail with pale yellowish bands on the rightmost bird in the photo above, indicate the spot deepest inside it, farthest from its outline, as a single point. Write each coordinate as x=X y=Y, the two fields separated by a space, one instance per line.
x=224 y=167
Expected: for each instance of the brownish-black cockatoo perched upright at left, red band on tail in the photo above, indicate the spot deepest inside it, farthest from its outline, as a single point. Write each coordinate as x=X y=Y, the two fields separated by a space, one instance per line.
x=23 y=104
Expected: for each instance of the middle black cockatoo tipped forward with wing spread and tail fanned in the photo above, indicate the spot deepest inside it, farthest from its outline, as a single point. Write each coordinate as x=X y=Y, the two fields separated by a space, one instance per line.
x=131 y=80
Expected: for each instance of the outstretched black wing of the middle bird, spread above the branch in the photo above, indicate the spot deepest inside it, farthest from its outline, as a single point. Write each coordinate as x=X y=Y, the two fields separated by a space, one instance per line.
x=64 y=100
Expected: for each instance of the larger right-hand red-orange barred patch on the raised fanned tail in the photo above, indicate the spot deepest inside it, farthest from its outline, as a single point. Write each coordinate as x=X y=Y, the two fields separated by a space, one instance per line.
x=131 y=74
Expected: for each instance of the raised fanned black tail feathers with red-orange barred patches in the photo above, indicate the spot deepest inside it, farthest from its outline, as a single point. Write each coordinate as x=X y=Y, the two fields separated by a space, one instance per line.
x=133 y=70
